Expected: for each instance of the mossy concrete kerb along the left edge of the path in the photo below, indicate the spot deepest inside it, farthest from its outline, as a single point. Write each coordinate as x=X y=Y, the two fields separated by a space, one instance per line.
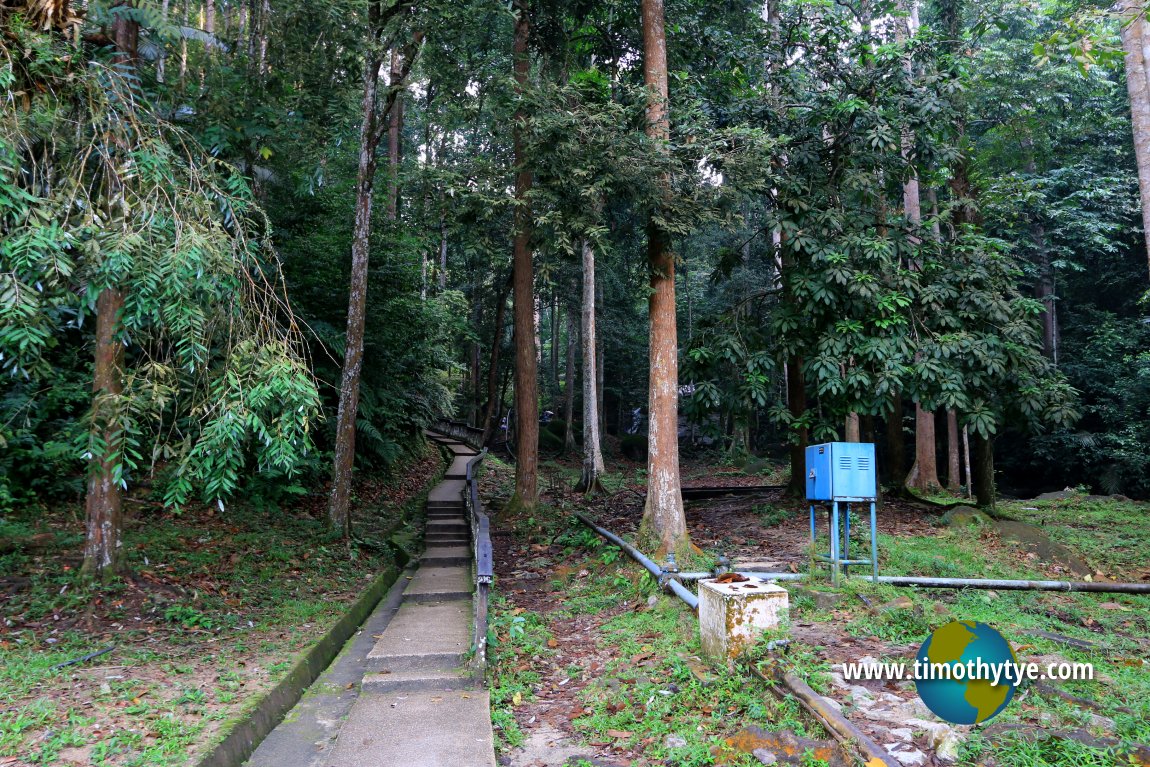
x=270 y=710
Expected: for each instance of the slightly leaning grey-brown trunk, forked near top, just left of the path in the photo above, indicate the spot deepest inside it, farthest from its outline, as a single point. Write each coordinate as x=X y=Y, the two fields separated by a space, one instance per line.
x=373 y=118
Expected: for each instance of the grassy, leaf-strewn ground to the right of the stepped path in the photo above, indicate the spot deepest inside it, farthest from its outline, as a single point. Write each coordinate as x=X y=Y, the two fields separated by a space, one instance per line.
x=594 y=668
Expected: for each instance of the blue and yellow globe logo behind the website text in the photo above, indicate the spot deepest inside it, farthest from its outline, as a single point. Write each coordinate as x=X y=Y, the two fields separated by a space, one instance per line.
x=965 y=672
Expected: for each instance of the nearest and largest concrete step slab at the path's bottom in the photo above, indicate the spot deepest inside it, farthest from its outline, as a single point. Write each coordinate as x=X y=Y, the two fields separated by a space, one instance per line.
x=417 y=730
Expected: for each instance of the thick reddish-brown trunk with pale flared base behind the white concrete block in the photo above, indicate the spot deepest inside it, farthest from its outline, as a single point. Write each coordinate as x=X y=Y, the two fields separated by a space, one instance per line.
x=663 y=517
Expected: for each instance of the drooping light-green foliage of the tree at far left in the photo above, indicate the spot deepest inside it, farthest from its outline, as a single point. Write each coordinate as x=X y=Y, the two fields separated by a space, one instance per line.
x=99 y=194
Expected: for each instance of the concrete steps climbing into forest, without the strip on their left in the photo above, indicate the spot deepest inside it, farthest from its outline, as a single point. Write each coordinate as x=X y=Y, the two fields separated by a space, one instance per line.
x=420 y=705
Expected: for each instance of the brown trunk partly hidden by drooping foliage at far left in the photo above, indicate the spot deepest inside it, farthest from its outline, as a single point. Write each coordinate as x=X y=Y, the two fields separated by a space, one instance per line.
x=104 y=503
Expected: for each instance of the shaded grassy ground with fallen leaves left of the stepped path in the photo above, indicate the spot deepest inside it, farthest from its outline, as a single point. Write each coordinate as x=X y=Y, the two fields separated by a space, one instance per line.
x=213 y=611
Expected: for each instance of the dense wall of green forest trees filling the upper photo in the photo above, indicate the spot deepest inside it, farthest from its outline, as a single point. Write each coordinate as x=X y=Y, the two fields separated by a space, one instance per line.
x=249 y=247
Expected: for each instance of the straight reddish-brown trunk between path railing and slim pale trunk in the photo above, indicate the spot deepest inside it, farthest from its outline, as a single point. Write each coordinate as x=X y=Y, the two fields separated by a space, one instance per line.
x=527 y=395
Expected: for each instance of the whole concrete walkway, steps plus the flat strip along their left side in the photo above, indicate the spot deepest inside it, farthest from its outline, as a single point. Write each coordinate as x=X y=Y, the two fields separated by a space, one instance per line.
x=417 y=703
